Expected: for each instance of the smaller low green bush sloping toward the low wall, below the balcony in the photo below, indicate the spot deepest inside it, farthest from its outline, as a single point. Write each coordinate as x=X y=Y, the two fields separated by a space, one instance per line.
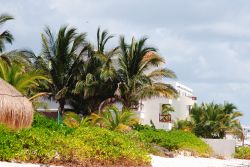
x=175 y=140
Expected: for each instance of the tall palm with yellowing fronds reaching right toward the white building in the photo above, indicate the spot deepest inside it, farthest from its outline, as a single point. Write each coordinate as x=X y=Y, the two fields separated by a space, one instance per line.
x=139 y=74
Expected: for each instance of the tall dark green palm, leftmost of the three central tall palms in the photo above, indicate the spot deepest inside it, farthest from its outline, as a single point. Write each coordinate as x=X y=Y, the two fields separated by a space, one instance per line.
x=62 y=55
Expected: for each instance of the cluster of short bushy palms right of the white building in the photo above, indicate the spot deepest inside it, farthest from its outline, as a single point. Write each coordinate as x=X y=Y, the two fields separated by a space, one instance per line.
x=212 y=120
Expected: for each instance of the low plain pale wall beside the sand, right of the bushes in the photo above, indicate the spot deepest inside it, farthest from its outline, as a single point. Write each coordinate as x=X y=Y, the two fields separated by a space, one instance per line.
x=222 y=147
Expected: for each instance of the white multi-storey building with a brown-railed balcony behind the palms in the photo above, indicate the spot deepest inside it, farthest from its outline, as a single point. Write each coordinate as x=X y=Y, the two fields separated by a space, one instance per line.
x=151 y=110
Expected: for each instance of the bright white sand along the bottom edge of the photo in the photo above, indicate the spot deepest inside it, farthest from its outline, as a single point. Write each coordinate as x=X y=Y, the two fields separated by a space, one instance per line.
x=179 y=161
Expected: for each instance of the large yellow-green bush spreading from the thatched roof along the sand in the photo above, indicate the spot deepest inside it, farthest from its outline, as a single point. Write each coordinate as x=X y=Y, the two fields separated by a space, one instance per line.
x=48 y=142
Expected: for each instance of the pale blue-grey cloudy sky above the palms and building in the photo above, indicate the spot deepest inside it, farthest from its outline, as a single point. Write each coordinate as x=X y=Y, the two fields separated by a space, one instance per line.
x=206 y=42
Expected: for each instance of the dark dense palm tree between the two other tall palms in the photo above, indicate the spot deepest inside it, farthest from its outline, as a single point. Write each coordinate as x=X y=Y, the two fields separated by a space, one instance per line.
x=98 y=79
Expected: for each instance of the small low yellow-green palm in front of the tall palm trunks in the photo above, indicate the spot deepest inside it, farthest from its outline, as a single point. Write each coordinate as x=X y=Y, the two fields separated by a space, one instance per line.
x=114 y=119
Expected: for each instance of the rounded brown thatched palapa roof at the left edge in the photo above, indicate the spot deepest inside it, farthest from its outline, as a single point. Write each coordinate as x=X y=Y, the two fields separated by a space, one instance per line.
x=16 y=111
